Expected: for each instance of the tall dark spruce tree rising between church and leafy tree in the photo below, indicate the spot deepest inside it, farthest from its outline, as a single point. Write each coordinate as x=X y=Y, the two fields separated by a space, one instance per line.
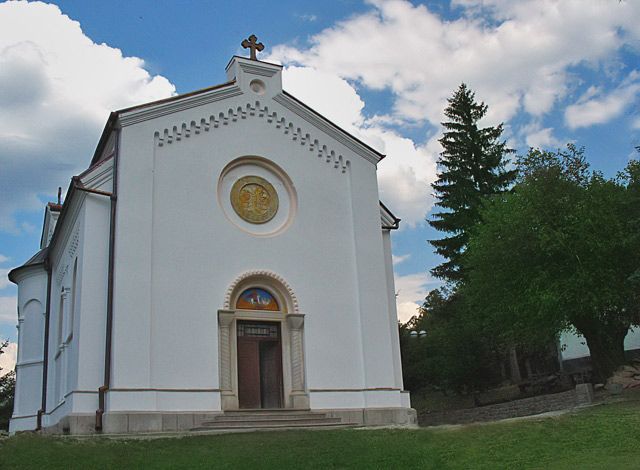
x=472 y=168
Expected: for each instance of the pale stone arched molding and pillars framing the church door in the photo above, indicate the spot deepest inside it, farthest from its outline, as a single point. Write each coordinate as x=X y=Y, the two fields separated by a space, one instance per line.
x=291 y=326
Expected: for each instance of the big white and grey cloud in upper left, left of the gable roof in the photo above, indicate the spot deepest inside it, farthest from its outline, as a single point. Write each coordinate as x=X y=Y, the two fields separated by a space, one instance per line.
x=57 y=88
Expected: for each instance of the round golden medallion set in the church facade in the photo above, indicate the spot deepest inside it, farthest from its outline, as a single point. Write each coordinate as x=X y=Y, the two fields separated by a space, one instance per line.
x=254 y=199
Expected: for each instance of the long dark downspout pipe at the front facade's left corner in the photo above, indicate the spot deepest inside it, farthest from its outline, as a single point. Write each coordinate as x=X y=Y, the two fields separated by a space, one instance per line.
x=110 y=290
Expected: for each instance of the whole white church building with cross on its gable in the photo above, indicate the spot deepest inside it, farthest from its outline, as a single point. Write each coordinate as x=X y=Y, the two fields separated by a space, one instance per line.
x=225 y=250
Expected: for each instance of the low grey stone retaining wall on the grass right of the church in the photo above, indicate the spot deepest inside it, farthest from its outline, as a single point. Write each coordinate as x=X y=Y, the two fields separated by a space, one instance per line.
x=512 y=409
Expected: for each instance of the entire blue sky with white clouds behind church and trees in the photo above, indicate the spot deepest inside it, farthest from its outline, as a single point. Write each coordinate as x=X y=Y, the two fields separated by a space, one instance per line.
x=553 y=72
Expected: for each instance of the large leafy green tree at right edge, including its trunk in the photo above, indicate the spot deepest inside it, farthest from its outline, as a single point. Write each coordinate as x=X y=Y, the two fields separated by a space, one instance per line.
x=560 y=252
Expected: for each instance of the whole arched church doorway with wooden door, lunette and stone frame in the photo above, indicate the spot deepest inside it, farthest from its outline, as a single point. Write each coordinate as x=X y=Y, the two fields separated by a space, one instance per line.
x=261 y=345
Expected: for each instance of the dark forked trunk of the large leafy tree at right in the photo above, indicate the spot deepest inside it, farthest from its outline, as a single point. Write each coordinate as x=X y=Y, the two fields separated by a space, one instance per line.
x=606 y=346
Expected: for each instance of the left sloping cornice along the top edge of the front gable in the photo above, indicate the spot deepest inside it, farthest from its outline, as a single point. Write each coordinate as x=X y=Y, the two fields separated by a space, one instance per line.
x=136 y=115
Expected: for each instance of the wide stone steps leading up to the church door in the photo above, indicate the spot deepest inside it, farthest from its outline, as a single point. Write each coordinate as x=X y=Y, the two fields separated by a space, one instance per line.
x=270 y=420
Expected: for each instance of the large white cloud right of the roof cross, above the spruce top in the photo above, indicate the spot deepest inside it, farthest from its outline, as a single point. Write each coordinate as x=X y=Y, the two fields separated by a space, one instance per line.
x=517 y=56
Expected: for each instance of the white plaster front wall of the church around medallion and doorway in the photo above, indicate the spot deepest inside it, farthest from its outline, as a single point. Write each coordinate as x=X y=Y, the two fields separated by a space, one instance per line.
x=177 y=254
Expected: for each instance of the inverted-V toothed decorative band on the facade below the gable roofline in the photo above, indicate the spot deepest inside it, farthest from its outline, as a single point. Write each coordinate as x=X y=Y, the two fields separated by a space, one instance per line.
x=256 y=110
